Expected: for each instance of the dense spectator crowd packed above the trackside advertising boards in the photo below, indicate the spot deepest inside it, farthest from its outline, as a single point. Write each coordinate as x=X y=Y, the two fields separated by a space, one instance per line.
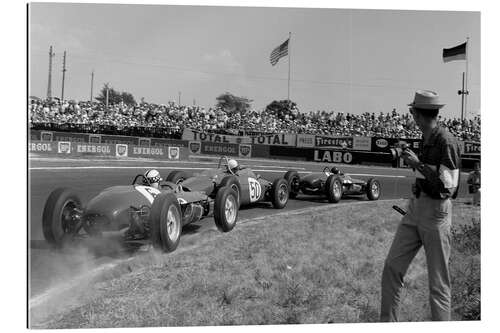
x=169 y=120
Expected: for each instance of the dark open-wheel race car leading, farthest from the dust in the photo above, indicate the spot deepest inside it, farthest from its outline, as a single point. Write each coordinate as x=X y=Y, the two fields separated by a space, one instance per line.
x=331 y=183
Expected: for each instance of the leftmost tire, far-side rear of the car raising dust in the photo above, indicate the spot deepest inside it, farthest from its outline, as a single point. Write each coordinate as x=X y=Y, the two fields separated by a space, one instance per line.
x=59 y=206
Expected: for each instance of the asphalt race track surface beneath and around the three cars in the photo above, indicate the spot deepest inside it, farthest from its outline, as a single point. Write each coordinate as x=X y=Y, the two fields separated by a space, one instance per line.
x=89 y=177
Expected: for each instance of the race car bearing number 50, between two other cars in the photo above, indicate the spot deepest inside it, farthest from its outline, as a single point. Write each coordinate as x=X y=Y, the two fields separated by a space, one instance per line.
x=249 y=186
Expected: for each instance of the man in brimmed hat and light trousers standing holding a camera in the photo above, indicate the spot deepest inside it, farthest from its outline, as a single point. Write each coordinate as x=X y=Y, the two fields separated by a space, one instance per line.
x=428 y=220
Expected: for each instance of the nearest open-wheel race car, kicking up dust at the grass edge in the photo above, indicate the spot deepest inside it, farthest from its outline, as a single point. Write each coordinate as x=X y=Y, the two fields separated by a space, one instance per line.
x=137 y=213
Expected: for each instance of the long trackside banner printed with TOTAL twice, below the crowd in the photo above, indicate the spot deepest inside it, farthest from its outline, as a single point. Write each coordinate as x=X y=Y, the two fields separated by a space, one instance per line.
x=262 y=139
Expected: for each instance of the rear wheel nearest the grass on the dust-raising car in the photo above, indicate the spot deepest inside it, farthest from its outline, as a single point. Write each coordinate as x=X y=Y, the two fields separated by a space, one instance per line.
x=166 y=222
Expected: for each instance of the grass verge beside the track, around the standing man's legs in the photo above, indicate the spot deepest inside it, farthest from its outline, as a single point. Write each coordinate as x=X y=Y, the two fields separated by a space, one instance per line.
x=322 y=266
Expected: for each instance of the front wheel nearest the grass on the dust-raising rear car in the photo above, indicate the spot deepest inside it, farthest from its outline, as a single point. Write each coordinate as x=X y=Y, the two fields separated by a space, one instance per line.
x=226 y=209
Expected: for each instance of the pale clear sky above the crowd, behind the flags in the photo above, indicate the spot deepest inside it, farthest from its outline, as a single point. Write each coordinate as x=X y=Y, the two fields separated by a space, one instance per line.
x=341 y=60
